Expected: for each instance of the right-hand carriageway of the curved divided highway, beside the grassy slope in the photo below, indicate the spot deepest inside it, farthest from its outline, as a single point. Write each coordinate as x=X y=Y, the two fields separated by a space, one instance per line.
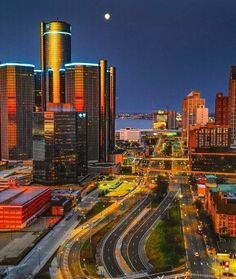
x=132 y=248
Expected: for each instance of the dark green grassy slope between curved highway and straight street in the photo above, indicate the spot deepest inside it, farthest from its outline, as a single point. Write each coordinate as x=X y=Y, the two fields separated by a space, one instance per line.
x=165 y=247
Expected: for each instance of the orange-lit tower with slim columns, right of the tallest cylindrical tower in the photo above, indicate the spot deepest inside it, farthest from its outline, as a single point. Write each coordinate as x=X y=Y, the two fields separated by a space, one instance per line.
x=90 y=87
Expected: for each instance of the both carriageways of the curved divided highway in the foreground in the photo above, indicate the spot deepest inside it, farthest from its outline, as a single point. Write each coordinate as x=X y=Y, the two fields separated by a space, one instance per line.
x=132 y=250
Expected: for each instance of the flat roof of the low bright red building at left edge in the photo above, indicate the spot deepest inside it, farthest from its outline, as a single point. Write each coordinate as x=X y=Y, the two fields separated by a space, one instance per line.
x=20 y=195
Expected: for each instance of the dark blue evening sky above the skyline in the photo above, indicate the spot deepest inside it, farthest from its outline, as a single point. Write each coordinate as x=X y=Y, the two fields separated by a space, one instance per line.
x=162 y=48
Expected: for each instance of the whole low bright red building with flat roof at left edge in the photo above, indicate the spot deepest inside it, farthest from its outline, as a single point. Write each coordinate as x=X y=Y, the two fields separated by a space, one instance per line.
x=20 y=206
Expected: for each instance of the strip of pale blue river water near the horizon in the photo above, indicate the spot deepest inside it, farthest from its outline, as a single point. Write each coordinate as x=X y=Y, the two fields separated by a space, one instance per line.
x=133 y=123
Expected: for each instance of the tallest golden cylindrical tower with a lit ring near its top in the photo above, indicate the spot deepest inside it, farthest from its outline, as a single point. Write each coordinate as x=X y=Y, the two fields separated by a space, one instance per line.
x=55 y=46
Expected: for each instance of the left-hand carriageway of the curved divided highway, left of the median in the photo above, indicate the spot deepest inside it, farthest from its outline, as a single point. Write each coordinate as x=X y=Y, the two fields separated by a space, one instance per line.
x=109 y=260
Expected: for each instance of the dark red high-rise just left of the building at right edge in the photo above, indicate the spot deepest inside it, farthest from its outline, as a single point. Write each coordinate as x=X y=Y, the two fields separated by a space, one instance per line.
x=221 y=109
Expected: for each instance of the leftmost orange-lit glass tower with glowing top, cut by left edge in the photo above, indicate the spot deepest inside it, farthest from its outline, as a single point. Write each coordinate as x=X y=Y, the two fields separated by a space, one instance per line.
x=16 y=106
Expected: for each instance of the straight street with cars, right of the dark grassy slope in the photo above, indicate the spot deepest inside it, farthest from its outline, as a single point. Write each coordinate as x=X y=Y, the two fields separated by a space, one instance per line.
x=199 y=264
